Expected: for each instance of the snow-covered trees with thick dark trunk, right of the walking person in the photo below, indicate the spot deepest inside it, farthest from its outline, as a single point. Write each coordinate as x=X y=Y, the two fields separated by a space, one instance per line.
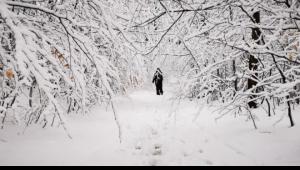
x=243 y=54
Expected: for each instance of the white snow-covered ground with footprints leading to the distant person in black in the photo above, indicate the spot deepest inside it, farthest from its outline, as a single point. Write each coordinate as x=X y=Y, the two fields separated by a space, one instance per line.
x=155 y=131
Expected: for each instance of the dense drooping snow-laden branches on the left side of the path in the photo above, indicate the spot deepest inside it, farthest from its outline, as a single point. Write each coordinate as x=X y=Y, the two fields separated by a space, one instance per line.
x=59 y=56
